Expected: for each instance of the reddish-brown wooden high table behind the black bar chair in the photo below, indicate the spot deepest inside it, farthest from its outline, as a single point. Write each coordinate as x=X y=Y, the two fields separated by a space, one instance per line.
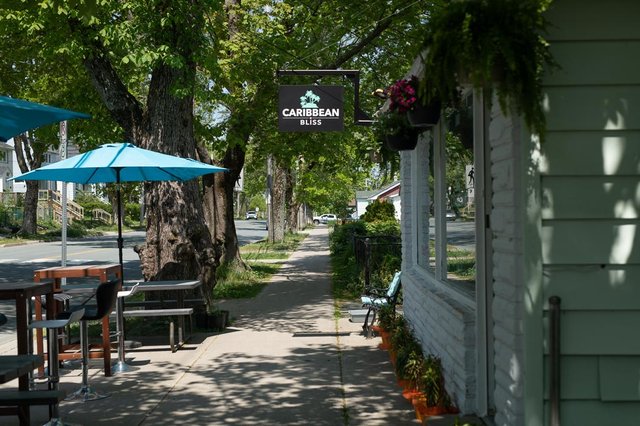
x=102 y=272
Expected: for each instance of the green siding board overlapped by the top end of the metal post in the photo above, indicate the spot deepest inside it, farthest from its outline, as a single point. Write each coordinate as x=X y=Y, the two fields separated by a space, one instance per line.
x=592 y=287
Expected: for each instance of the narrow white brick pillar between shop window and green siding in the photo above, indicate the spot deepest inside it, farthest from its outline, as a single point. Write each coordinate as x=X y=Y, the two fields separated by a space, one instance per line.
x=507 y=308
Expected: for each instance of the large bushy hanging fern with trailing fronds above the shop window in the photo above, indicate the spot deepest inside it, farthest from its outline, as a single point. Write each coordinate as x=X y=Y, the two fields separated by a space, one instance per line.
x=491 y=44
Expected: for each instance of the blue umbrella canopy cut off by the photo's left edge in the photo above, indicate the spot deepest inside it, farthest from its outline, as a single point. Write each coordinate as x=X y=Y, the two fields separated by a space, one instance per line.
x=18 y=116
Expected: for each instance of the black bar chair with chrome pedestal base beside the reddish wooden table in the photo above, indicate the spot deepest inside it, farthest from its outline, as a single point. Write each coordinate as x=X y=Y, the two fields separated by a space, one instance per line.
x=106 y=296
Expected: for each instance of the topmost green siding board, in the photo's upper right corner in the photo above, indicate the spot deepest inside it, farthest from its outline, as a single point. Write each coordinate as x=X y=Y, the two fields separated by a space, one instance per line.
x=596 y=20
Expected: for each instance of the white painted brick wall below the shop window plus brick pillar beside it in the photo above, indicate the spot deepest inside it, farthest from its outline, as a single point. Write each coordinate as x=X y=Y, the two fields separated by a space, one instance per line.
x=443 y=325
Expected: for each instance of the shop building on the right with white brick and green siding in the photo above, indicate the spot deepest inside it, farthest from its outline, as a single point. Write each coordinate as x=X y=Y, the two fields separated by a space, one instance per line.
x=558 y=221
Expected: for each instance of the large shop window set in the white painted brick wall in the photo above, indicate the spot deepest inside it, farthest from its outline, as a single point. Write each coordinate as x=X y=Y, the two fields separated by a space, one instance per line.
x=446 y=202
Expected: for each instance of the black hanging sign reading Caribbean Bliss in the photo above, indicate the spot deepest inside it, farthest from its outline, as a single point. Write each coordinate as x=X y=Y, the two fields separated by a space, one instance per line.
x=311 y=109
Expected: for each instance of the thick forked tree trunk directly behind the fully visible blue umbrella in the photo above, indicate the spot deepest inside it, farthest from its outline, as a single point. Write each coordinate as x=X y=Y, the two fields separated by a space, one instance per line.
x=178 y=244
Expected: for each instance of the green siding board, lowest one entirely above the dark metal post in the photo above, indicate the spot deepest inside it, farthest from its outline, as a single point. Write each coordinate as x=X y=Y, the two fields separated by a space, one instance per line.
x=598 y=242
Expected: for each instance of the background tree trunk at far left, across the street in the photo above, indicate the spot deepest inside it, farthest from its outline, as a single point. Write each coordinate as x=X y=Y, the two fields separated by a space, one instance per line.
x=27 y=162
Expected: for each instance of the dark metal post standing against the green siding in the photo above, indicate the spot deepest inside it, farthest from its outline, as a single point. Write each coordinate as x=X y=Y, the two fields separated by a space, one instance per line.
x=554 y=360
